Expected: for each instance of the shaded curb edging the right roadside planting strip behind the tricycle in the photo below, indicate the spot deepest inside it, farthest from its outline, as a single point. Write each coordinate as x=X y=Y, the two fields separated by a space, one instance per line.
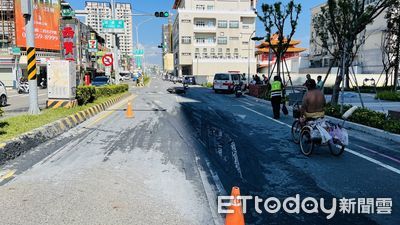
x=350 y=125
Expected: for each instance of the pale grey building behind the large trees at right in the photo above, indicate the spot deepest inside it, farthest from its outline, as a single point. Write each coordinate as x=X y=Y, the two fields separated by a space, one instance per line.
x=369 y=57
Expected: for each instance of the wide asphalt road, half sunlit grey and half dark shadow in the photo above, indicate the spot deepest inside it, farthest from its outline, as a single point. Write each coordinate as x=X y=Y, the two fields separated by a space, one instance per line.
x=168 y=164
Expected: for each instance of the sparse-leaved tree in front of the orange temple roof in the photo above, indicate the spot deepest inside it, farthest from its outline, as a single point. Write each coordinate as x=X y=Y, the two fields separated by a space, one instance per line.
x=276 y=19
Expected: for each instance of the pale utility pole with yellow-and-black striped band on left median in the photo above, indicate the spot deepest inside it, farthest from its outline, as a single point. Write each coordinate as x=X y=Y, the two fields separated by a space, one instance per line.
x=27 y=10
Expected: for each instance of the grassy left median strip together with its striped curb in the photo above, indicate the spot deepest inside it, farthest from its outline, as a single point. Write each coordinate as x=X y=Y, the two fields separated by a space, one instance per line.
x=51 y=125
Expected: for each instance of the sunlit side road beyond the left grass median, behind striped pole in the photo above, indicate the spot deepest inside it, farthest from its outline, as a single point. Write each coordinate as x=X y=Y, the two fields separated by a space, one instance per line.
x=19 y=103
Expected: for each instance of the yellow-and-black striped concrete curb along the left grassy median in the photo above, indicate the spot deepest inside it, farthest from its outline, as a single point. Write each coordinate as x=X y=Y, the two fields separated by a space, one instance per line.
x=15 y=147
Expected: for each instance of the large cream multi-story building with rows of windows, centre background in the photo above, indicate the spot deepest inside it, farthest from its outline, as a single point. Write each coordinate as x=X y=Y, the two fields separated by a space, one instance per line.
x=213 y=36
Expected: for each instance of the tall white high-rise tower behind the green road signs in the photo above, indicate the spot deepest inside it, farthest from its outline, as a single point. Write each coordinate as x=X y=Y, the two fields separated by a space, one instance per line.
x=98 y=11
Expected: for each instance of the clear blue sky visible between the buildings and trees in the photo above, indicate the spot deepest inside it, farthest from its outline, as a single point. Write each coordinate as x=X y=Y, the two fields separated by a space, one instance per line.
x=150 y=32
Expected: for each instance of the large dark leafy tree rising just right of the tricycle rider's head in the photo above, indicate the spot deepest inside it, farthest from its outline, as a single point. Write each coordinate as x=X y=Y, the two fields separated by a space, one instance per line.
x=340 y=25
